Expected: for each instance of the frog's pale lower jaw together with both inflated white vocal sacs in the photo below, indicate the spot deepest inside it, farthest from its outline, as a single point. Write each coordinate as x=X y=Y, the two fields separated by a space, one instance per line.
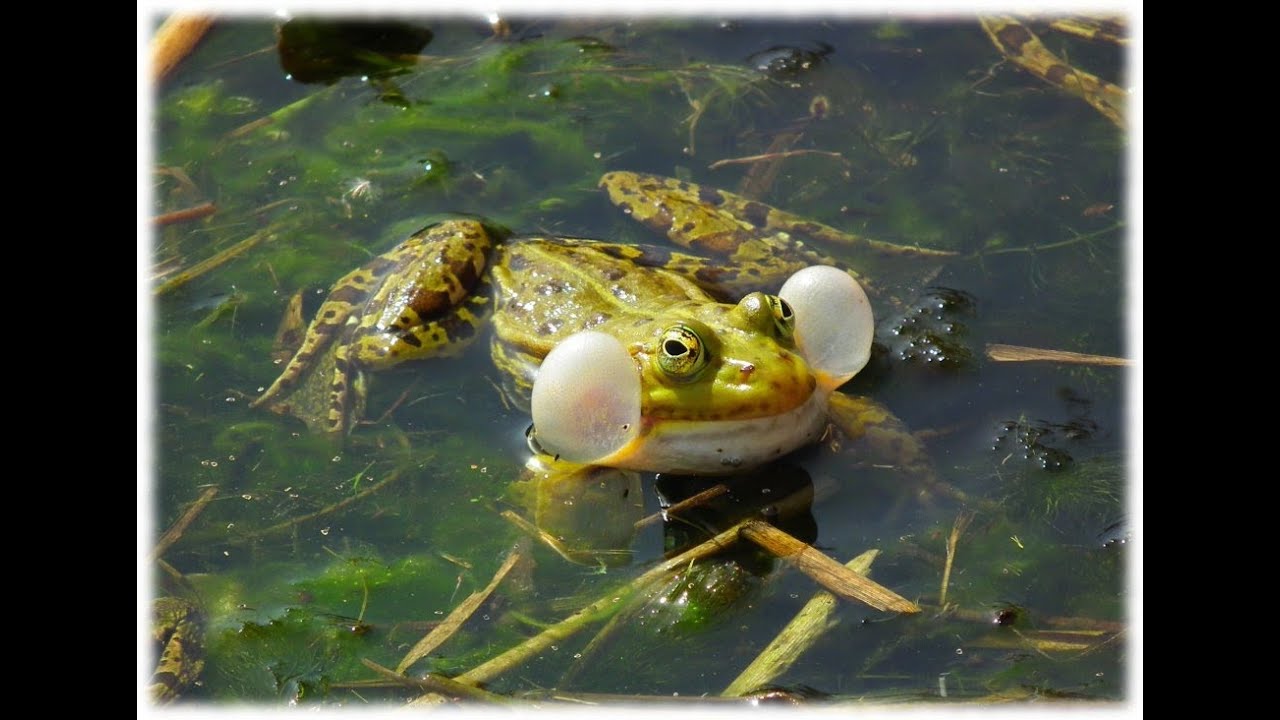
x=587 y=399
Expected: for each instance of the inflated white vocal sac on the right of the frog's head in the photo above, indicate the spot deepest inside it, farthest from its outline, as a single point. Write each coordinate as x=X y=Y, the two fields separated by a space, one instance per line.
x=834 y=322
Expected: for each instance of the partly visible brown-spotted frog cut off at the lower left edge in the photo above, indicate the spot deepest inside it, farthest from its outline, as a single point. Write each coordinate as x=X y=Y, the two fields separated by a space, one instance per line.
x=179 y=635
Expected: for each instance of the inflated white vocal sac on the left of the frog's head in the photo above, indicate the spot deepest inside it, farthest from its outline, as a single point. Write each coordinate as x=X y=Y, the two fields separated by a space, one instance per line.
x=587 y=399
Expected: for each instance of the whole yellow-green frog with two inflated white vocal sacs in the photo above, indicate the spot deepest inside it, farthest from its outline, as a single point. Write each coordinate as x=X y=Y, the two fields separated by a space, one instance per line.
x=632 y=357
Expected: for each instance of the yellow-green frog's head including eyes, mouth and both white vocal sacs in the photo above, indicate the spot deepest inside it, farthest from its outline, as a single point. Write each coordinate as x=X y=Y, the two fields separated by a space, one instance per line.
x=706 y=388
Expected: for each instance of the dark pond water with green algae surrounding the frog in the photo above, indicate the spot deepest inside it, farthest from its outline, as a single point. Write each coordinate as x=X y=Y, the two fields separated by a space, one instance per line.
x=323 y=145
